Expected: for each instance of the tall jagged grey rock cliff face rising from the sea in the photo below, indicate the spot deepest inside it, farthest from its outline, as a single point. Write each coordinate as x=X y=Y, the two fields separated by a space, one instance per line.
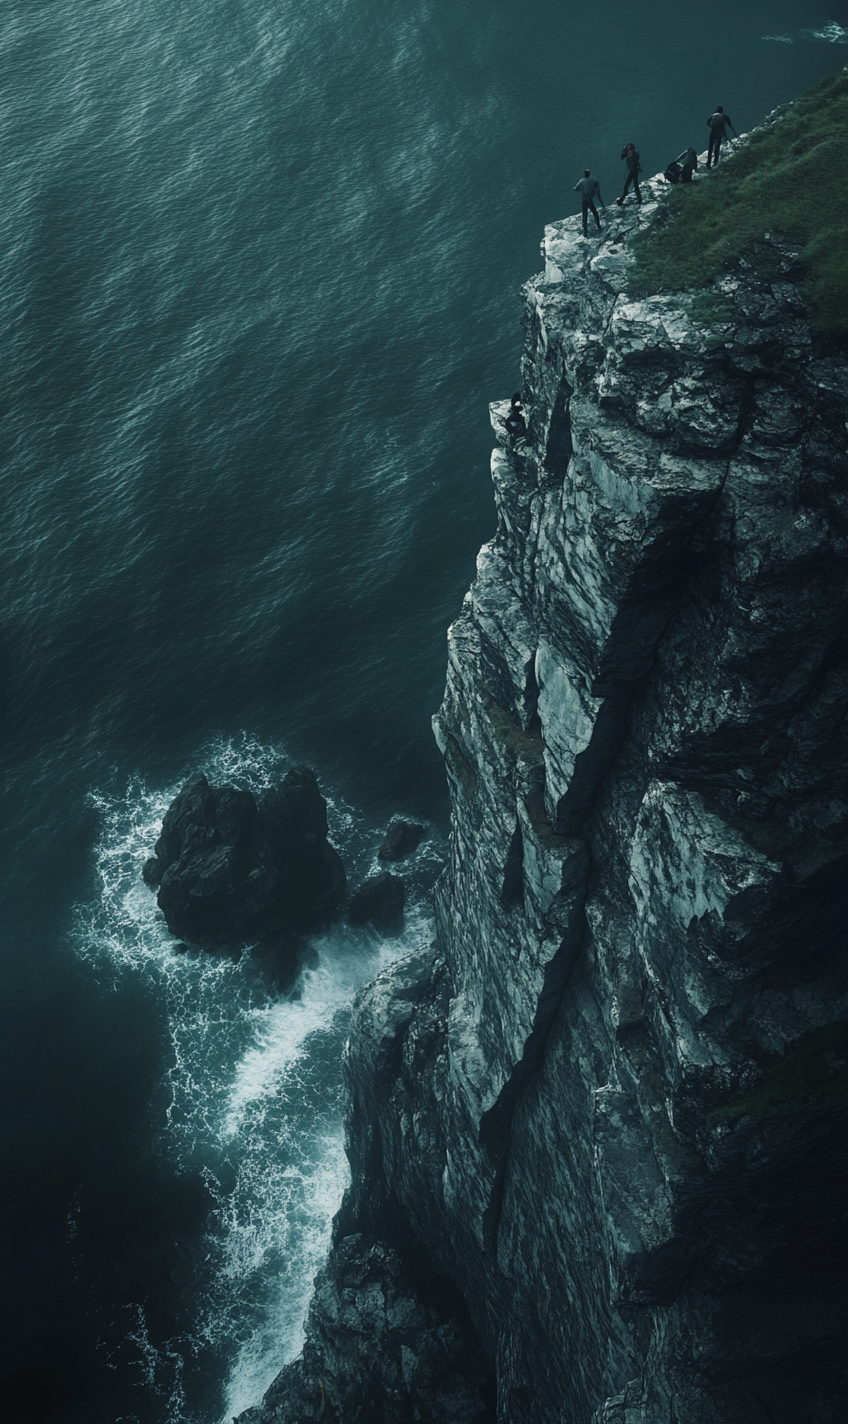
x=603 y=1130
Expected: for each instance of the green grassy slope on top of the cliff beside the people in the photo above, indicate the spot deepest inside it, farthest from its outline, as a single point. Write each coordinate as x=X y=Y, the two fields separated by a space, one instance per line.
x=789 y=177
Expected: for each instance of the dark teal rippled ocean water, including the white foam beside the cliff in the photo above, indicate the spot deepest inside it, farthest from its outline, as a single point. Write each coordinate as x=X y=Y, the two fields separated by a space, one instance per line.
x=261 y=268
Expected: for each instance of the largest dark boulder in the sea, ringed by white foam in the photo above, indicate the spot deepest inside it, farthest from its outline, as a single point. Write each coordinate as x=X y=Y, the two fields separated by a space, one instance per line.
x=230 y=868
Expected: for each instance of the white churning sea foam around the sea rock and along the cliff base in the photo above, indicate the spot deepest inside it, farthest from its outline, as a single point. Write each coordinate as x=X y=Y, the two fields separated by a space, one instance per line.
x=254 y=1091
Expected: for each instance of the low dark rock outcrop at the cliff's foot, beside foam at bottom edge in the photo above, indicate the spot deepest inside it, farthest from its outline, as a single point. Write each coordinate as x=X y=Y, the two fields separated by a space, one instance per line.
x=378 y=1349
